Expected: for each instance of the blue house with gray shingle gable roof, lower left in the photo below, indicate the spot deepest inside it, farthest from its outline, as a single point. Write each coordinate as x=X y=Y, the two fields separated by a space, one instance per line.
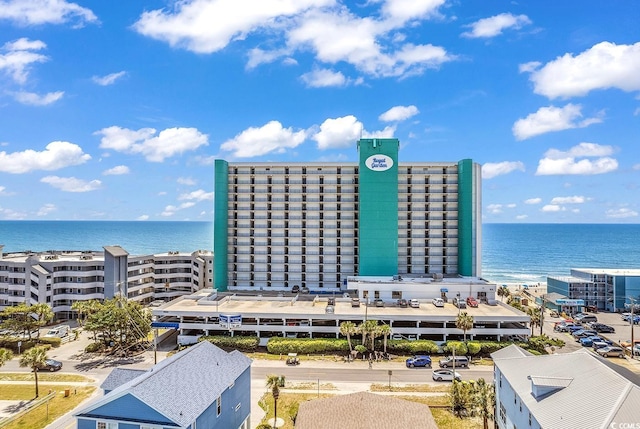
x=202 y=387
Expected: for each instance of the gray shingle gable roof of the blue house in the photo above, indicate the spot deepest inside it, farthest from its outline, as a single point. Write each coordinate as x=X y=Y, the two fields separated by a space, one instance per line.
x=183 y=386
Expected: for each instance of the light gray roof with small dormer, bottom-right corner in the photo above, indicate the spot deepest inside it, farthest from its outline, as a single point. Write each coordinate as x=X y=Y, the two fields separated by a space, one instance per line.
x=594 y=398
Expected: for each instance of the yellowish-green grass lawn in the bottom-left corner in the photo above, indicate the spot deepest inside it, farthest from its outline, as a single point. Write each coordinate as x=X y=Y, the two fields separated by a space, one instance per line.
x=38 y=417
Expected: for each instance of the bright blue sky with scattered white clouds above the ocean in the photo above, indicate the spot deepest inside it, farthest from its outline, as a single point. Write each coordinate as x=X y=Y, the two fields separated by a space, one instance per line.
x=116 y=110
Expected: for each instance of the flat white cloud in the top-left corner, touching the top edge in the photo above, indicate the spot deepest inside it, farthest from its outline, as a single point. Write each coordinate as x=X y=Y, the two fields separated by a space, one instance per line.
x=37 y=12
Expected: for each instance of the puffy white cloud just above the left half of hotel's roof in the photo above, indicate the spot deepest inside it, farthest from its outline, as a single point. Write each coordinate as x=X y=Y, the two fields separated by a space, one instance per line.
x=270 y=138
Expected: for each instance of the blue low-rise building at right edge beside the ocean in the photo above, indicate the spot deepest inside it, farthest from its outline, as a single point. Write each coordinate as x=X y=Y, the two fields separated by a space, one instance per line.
x=605 y=288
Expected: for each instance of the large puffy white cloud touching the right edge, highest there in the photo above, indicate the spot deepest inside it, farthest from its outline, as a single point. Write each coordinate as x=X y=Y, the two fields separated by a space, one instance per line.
x=605 y=65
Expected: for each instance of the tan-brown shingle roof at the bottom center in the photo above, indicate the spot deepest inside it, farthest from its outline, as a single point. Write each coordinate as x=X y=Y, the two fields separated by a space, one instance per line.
x=364 y=410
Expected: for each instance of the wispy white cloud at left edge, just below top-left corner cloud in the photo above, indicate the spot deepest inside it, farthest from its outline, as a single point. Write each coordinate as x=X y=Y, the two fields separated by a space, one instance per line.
x=19 y=56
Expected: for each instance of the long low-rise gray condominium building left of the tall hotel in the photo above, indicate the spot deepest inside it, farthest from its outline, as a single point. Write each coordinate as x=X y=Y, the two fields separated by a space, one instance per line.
x=60 y=278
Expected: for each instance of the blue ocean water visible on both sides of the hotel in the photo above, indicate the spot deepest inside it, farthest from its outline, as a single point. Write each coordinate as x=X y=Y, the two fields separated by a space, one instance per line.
x=512 y=253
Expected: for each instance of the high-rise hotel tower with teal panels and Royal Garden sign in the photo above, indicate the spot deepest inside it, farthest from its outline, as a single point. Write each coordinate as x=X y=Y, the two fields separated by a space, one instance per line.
x=315 y=224
